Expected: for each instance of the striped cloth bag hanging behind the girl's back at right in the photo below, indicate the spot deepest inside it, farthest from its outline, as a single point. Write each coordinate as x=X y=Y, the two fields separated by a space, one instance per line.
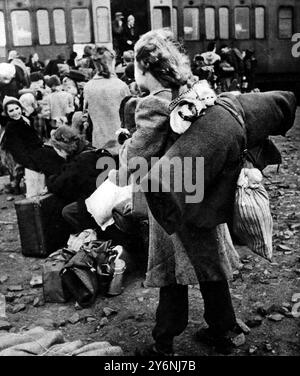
x=252 y=221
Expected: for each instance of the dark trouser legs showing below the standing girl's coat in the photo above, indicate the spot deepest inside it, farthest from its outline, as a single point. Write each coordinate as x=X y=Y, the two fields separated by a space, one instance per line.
x=172 y=311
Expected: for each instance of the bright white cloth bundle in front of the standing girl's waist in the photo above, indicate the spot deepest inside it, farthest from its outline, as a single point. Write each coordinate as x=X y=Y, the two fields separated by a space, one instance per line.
x=101 y=203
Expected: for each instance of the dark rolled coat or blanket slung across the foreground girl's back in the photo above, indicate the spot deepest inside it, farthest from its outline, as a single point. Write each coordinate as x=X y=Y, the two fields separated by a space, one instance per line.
x=219 y=138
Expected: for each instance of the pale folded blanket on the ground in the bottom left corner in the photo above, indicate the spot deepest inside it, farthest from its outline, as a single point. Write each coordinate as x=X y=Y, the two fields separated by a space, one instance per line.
x=40 y=342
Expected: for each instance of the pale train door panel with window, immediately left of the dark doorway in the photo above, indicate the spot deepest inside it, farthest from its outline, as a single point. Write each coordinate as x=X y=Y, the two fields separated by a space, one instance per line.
x=102 y=22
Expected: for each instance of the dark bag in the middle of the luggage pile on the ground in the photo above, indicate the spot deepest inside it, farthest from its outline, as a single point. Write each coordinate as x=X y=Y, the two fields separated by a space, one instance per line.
x=89 y=271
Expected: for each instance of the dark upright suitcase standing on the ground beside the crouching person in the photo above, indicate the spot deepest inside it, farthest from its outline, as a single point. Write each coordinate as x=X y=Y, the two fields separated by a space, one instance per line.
x=41 y=225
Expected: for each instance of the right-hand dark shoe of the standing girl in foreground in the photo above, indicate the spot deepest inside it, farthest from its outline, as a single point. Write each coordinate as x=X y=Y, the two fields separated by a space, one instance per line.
x=221 y=343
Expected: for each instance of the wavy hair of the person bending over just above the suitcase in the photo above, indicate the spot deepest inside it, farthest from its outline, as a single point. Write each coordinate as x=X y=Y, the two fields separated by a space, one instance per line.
x=66 y=139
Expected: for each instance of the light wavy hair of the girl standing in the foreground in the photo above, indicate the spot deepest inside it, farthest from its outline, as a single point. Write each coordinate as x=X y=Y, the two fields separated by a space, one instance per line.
x=158 y=53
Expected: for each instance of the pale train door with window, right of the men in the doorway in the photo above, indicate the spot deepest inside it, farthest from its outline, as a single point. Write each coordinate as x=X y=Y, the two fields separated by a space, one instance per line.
x=161 y=14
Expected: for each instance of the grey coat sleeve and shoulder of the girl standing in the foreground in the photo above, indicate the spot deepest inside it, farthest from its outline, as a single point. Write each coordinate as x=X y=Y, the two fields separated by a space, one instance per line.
x=149 y=139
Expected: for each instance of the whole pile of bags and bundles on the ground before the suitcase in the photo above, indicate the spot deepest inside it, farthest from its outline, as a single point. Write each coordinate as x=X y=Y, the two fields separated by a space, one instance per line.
x=82 y=274
